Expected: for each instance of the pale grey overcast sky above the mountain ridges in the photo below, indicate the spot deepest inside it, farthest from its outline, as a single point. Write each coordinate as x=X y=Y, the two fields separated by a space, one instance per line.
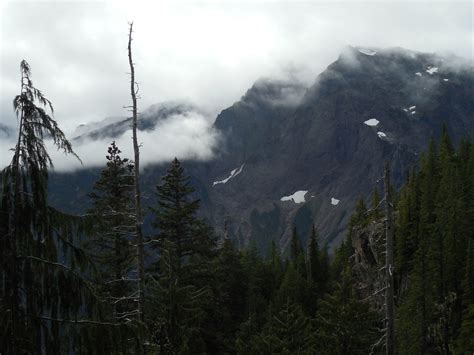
x=205 y=52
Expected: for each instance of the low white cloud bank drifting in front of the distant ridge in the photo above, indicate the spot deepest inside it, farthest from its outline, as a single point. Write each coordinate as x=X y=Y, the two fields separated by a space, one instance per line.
x=186 y=136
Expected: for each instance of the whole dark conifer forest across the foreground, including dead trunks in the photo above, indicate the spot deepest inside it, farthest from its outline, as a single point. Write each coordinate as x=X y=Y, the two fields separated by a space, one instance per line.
x=400 y=282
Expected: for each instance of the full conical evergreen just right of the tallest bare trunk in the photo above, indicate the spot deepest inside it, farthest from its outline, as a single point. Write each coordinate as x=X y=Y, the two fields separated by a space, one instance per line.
x=185 y=245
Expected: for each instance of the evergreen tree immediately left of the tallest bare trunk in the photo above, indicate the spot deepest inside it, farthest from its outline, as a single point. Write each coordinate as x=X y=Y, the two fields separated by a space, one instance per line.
x=111 y=242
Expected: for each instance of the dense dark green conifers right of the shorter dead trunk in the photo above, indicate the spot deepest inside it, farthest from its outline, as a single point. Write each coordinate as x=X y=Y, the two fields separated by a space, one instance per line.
x=434 y=256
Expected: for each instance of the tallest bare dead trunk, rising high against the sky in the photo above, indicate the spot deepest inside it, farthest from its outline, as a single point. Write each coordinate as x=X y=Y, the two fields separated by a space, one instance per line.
x=138 y=206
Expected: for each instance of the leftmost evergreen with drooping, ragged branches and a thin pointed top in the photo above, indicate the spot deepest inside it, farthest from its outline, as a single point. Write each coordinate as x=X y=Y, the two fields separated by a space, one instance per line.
x=42 y=265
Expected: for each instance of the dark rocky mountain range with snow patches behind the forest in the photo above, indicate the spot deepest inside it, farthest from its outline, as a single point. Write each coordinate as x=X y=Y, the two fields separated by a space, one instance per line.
x=292 y=155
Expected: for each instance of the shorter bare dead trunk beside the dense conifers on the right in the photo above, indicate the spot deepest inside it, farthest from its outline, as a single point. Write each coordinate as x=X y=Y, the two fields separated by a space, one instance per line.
x=389 y=303
